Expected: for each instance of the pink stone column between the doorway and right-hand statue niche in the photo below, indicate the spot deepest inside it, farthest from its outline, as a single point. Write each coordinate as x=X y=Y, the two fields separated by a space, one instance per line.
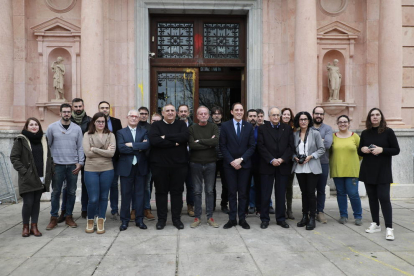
x=305 y=55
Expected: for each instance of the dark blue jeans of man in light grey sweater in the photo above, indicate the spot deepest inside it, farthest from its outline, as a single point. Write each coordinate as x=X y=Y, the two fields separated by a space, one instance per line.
x=63 y=172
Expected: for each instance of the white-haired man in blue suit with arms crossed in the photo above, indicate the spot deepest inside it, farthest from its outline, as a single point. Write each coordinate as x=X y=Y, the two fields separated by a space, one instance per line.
x=132 y=142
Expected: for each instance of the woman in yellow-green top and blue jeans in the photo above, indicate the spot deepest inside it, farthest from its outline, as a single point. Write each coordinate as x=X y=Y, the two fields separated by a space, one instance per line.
x=344 y=168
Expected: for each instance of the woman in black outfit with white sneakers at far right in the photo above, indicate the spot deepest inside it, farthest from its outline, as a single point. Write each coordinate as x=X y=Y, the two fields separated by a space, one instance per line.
x=377 y=146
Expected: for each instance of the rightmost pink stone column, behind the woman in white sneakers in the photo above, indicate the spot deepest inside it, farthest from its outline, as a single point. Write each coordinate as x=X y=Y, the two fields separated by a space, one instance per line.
x=390 y=61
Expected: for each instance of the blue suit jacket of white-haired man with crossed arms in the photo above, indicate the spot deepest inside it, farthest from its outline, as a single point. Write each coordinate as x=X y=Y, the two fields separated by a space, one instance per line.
x=127 y=154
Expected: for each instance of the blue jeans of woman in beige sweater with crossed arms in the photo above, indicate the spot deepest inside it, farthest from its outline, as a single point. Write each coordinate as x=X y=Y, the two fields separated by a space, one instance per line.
x=98 y=185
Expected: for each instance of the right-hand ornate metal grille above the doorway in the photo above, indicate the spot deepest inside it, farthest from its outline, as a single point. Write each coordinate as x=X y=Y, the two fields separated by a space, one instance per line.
x=221 y=40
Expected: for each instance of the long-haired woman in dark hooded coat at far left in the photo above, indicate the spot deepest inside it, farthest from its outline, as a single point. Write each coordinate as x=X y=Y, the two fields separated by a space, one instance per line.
x=31 y=158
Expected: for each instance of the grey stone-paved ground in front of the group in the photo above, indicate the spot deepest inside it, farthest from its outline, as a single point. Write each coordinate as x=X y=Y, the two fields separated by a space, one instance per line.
x=331 y=249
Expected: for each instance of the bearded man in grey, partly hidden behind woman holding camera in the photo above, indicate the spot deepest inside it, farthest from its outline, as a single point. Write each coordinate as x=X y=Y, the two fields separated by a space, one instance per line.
x=326 y=134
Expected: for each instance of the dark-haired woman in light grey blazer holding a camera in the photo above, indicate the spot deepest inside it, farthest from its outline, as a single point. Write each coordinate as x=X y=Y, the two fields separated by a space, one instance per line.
x=307 y=166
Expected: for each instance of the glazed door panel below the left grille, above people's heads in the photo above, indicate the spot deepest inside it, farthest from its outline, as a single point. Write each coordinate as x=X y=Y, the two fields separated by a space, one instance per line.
x=175 y=89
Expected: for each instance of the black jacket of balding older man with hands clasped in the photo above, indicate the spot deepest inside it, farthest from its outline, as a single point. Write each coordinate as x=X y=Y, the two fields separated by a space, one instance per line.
x=274 y=143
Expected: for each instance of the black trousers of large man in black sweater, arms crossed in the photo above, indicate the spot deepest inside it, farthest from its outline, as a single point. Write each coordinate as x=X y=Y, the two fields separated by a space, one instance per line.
x=169 y=180
